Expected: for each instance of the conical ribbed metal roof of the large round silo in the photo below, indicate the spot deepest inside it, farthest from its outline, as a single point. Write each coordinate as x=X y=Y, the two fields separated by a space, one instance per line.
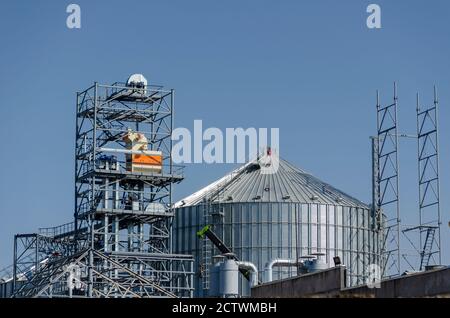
x=287 y=184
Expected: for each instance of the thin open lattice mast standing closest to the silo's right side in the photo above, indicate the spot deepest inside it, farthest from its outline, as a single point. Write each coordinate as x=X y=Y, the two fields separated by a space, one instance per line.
x=388 y=202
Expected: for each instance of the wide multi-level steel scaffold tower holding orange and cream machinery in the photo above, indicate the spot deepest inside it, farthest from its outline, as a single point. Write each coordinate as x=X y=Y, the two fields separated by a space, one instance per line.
x=119 y=243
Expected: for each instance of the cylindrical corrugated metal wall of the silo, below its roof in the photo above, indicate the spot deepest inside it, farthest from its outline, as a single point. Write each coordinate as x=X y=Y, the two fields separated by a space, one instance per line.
x=260 y=232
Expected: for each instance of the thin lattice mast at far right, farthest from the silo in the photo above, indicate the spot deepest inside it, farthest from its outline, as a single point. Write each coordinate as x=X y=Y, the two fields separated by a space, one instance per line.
x=425 y=238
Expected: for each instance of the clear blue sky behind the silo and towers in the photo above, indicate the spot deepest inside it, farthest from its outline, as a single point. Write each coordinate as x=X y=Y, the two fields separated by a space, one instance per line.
x=310 y=68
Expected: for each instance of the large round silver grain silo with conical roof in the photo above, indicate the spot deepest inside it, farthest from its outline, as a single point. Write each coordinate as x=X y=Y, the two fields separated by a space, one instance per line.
x=288 y=214
